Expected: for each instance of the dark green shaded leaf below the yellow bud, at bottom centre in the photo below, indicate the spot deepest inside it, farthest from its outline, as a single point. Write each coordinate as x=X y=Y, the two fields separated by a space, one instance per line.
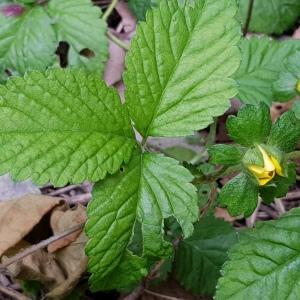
x=200 y=257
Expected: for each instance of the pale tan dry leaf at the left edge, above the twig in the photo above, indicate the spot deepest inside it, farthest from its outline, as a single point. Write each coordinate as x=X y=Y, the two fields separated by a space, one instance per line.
x=18 y=217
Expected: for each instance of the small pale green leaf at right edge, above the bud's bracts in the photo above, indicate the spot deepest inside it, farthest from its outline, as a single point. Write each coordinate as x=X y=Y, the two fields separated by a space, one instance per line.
x=285 y=88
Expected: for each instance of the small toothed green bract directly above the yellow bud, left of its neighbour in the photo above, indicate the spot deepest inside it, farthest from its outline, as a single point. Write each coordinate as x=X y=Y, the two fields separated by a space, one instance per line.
x=252 y=125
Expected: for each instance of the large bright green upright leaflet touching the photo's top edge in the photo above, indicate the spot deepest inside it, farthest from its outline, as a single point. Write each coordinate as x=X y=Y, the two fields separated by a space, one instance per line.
x=179 y=66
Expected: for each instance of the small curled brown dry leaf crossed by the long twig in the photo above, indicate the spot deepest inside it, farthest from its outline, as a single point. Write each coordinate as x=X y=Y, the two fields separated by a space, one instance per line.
x=62 y=220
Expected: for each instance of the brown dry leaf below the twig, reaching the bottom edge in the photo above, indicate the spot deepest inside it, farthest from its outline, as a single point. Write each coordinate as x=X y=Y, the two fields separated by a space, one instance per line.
x=73 y=261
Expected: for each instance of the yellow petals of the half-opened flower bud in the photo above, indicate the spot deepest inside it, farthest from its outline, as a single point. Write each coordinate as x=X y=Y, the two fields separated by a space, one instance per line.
x=267 y=172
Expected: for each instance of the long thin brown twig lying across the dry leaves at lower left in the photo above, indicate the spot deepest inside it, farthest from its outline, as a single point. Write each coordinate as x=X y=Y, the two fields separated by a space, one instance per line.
x=40 y=245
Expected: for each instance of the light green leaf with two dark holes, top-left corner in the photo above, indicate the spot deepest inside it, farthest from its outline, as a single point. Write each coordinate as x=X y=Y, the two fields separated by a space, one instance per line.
x=29 y=41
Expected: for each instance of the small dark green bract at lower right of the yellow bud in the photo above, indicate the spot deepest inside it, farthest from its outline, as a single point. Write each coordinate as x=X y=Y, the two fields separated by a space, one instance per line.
x=279 y=186
